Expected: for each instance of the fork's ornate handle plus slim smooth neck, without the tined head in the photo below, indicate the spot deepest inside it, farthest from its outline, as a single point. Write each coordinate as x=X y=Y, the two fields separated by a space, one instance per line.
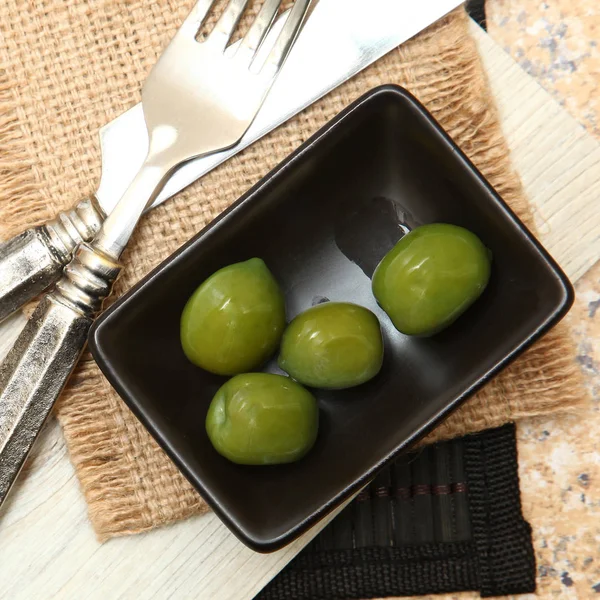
x=38 y=366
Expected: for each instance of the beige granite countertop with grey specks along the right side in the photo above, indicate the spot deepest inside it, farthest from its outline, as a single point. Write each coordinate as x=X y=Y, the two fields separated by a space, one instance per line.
x=556 y=41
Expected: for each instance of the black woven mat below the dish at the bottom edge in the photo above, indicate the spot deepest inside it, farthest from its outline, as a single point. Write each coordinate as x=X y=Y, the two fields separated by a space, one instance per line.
x=444 y=519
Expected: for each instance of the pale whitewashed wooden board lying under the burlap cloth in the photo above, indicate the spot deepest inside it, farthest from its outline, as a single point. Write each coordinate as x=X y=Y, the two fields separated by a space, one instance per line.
x=47 y=546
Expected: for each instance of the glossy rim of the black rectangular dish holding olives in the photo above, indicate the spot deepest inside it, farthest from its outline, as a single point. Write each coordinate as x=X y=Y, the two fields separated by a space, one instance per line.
x=257 y=542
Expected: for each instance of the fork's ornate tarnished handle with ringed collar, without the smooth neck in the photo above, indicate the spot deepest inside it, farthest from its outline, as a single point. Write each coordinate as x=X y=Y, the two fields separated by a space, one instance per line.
x=38 y=366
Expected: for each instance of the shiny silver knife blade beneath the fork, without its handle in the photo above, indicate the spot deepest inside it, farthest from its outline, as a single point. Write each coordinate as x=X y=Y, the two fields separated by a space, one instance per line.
x=340 y=40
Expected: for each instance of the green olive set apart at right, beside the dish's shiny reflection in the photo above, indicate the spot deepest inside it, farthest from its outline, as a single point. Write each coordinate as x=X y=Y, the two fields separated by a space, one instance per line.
x=430 y=277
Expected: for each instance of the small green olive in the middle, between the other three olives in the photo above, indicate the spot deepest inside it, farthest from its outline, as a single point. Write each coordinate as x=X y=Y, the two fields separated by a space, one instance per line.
x=334 y=345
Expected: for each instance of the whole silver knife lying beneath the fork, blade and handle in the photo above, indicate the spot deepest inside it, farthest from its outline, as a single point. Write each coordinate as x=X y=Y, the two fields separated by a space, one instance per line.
x=340 y=40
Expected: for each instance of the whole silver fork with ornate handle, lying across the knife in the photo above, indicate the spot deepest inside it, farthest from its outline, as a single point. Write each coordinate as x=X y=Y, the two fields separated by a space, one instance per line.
x=198 y=98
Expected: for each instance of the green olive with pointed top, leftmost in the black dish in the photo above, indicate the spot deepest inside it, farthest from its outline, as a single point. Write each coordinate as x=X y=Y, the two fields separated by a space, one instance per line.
x=233 y=322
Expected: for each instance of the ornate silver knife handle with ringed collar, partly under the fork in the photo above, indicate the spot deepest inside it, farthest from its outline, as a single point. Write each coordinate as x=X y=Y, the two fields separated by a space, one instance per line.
x=33 y=260
